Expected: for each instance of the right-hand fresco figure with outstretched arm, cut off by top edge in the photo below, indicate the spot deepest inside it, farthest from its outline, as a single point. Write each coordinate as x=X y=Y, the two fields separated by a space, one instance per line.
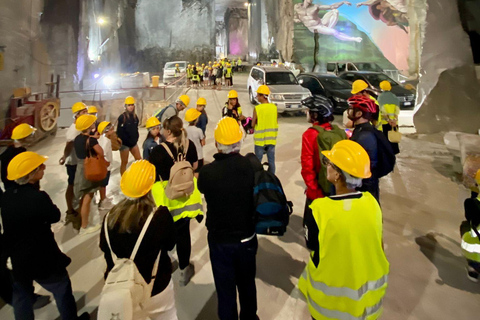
x=391 y=12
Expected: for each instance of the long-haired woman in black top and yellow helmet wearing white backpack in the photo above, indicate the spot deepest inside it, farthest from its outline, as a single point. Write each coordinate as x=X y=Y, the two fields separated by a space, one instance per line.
x=122 y=227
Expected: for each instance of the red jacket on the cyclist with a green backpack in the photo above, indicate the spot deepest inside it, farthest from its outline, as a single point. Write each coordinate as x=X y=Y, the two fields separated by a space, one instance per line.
x=310 y=159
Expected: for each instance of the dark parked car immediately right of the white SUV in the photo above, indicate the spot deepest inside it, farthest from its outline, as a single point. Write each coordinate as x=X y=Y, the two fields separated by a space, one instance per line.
x=329 y=86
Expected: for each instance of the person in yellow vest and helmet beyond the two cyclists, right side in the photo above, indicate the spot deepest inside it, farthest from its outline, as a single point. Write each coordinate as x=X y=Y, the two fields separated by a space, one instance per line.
x=389 y=111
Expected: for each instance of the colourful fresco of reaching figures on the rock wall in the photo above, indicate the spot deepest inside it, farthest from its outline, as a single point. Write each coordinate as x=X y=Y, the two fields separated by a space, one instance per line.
x=374 y=31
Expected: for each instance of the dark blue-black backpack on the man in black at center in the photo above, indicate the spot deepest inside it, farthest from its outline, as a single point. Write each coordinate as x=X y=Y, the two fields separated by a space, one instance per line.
x=272 y=208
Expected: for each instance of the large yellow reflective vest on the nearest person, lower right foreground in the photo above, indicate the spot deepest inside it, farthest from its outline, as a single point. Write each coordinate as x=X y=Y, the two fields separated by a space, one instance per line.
x=351 y=277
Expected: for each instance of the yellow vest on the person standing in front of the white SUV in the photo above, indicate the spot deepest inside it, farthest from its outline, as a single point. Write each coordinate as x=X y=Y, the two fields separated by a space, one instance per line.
x=266 y=128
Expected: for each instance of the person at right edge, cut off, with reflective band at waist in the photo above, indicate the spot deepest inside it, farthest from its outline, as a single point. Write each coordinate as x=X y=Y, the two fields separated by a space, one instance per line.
x=470 y=232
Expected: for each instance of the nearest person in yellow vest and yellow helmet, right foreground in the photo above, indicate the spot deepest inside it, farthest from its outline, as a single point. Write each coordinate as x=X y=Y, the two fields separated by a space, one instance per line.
x=346 y=275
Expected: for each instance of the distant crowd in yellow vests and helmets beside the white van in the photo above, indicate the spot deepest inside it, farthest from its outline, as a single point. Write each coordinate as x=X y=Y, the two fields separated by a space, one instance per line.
x=214 y=74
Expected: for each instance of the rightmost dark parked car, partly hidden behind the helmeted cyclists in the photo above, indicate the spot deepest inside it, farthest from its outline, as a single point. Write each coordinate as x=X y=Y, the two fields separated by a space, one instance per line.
x=406 y=97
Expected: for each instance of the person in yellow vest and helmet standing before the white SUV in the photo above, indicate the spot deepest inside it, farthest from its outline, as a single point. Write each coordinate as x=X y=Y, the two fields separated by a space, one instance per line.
x=265 y=122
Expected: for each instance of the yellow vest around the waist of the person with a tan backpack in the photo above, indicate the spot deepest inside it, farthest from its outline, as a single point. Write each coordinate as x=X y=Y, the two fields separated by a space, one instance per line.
x=185 y=207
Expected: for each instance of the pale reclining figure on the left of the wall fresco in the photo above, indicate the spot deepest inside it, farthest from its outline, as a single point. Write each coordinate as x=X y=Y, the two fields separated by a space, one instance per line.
x=307 y=13
